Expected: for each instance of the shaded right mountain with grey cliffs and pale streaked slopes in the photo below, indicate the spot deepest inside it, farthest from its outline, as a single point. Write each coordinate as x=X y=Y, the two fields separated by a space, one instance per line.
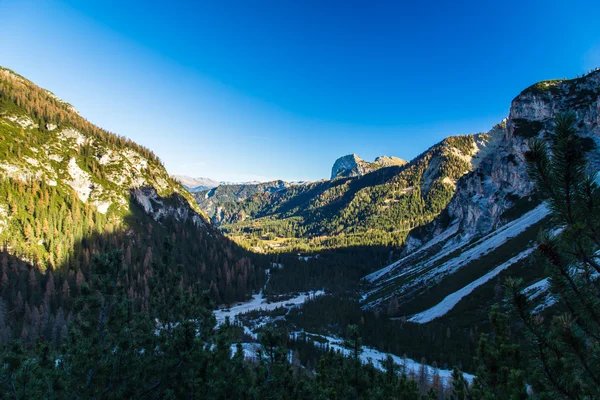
x=451 y=268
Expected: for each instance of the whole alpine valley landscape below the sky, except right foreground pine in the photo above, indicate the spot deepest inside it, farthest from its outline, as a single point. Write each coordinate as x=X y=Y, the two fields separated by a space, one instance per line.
x=377 y=283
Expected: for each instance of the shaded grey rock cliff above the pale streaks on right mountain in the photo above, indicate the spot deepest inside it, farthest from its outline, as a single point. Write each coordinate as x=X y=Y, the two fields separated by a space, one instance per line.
x=483 y=195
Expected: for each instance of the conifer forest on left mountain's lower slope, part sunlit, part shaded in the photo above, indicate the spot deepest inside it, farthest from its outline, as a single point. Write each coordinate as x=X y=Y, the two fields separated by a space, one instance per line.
x=60 y=235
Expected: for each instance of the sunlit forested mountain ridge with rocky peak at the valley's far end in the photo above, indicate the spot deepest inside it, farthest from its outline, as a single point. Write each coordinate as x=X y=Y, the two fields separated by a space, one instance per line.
x=378 y=206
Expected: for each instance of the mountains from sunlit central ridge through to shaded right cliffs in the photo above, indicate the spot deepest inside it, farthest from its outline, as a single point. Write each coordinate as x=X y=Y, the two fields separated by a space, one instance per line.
x=463 y=214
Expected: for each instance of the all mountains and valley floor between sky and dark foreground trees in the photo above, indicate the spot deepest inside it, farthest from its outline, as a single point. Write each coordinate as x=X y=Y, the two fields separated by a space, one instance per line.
x=414 y=254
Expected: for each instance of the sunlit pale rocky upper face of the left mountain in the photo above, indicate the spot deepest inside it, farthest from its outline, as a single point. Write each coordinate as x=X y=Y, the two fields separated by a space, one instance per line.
x=79 y=159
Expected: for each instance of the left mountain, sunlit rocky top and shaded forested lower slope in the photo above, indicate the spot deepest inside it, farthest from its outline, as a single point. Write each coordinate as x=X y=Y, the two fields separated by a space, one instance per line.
x=70 y=190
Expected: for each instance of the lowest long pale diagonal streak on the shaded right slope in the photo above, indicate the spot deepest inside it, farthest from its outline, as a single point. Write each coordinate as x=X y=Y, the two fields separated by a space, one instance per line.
x=452 y=299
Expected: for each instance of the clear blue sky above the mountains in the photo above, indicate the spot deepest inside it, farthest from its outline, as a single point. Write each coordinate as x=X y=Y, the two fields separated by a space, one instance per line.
x=259 y=90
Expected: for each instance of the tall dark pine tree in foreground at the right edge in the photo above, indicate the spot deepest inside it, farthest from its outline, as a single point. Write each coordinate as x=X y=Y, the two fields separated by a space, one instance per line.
x=567 y=350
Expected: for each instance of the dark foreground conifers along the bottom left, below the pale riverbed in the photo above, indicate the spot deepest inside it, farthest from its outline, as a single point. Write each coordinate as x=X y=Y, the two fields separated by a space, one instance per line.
x=173 y=352
